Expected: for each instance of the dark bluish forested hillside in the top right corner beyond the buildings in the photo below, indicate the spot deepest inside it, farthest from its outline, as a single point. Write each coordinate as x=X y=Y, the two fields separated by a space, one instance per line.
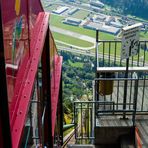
x=134 y=7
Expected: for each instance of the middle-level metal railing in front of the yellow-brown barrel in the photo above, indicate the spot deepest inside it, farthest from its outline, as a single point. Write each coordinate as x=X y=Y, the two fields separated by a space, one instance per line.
x=115 y=89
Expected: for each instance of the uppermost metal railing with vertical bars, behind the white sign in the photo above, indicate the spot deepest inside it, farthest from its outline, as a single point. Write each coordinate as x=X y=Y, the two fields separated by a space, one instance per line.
x=109 y=52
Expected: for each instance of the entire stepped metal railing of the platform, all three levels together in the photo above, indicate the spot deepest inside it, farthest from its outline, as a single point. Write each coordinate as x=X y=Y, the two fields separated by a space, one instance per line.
x=123 y=94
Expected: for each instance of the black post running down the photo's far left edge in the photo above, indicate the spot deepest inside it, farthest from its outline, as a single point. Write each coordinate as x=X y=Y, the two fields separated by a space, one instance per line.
x=4 y=110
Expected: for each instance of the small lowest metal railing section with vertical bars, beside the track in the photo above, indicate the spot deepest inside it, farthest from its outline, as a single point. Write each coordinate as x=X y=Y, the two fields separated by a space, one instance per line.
x=84 y=121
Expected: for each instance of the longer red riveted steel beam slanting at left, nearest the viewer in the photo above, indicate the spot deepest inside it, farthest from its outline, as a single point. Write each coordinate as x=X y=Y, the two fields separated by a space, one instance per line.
x=24 y=97
